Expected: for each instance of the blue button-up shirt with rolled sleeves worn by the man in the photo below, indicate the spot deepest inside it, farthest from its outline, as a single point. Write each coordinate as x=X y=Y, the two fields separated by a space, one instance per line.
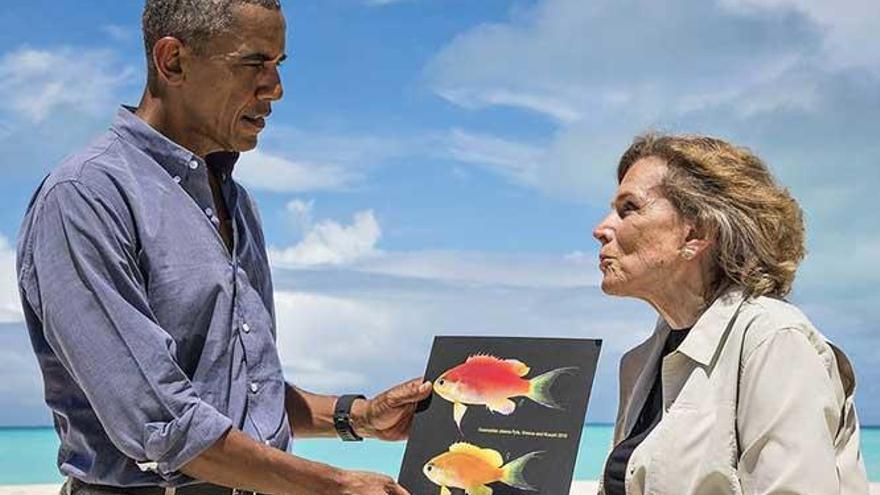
x=152 y=338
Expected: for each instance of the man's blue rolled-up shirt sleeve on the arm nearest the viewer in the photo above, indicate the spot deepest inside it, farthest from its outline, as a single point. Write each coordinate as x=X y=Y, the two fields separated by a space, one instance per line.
x=81 y=277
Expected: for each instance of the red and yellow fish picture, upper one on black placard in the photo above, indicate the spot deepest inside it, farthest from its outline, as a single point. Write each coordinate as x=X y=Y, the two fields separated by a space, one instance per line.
x=492 y=382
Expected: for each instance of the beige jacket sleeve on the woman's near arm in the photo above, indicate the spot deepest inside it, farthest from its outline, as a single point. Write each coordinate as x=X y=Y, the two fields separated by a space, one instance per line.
x=788 y=416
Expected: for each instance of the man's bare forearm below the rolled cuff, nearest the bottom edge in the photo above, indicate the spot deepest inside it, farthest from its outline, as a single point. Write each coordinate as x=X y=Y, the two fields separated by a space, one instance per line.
x=238 y=461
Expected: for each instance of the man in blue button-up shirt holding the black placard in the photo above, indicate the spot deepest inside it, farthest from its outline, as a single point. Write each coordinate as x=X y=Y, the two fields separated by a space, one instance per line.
x=145 y=283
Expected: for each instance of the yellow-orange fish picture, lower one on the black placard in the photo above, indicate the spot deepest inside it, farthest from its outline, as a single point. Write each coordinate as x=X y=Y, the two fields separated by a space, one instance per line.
x=471 y=468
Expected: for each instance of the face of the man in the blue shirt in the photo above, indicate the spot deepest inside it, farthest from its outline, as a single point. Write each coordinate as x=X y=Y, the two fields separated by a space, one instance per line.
x=231 y=83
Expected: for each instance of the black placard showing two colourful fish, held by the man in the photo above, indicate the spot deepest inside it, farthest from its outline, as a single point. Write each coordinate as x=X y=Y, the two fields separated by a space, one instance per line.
x=531 y=427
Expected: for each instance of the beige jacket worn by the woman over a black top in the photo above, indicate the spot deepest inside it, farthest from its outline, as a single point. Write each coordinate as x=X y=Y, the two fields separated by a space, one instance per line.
x=755 y=400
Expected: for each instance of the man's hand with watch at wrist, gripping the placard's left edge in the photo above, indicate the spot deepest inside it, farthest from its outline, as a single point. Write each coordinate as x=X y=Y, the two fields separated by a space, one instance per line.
x=388 y=416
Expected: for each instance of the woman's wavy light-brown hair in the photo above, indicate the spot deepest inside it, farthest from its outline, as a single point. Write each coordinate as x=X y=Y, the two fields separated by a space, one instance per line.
x=731 y=197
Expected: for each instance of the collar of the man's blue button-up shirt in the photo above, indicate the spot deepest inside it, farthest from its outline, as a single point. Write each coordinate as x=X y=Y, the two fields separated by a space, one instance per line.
x=174 y=158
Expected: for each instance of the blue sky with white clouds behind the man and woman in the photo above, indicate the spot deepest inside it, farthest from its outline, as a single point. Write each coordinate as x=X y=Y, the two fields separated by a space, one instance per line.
x=437 y=166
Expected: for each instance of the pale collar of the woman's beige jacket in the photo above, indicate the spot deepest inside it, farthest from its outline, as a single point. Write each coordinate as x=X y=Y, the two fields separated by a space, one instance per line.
x=708 y=333
